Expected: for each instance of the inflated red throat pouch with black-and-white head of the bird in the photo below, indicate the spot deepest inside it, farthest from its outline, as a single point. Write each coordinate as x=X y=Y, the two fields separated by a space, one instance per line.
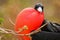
x=29 y=19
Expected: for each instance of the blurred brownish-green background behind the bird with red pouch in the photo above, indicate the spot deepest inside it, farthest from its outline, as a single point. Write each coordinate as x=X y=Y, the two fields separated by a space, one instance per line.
x=10 y=9
